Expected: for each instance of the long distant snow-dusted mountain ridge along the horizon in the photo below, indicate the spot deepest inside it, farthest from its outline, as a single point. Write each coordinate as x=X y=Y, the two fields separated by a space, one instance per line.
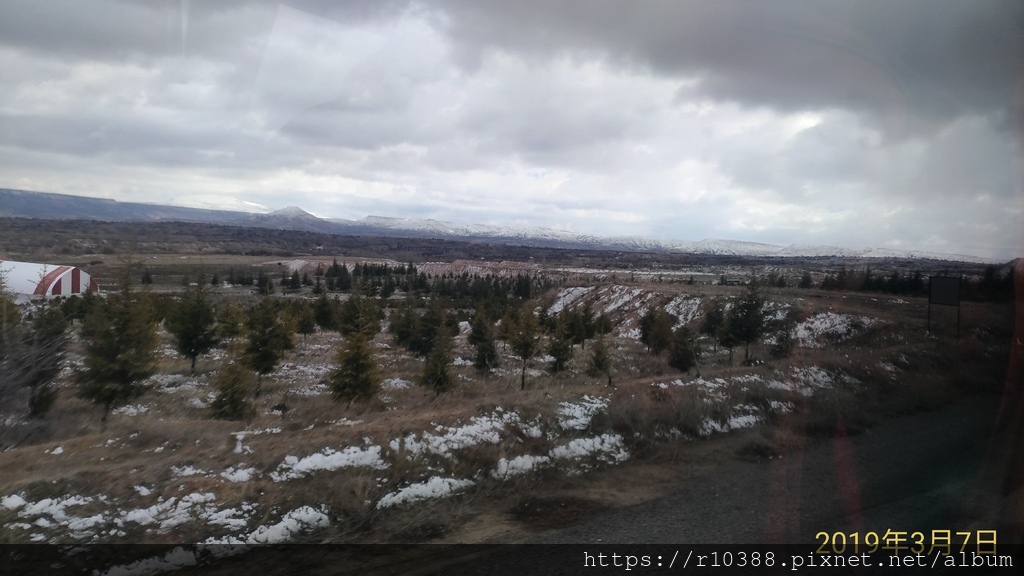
x=59 y=207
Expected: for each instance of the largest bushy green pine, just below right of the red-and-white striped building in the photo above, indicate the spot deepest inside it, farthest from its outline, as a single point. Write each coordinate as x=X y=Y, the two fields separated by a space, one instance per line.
x=120 y=341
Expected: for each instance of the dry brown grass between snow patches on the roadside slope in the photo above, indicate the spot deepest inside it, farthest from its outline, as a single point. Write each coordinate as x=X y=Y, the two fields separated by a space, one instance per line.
x=898 y=369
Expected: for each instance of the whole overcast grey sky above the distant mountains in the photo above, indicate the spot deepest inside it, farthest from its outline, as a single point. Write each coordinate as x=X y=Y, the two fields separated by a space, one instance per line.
x=849 y=124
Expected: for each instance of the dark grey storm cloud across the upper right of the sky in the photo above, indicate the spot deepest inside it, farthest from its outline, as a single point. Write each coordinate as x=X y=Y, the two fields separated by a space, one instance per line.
x=905 y=63
